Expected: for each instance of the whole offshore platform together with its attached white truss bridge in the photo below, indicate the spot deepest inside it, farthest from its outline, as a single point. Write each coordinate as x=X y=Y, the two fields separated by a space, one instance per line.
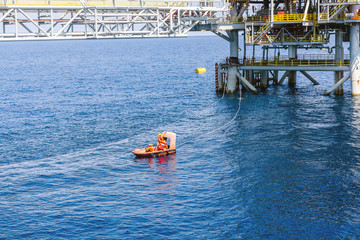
x=270 y=25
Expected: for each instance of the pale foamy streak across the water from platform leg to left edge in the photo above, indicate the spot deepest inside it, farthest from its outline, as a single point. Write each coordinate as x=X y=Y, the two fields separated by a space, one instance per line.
x=120 y=141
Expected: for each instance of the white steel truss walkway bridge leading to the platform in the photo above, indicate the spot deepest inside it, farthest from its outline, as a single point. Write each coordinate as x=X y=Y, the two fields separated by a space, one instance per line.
x=86 y=19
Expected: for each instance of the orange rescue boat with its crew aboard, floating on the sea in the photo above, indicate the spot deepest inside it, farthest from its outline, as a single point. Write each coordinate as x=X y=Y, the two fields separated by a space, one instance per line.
x=159 y=150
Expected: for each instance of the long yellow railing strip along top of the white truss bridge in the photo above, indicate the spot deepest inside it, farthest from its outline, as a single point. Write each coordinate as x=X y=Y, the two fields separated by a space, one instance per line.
x=107 y=3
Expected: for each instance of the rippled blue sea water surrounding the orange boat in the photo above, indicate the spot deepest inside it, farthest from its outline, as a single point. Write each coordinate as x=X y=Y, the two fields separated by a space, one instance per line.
x=287 y=167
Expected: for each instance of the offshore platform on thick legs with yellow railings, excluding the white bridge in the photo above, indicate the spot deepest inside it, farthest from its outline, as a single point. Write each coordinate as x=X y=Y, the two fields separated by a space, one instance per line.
x=290 y=25
